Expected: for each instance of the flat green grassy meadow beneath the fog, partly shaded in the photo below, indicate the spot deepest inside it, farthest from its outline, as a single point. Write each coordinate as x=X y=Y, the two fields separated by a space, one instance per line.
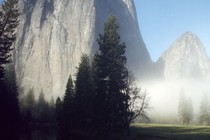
x=170 y=132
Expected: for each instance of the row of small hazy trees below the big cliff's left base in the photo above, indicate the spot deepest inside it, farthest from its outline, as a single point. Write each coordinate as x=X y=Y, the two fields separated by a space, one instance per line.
x=36 y=111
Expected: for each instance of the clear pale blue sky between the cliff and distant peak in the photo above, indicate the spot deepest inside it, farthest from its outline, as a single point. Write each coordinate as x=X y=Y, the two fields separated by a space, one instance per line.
x=163 y=21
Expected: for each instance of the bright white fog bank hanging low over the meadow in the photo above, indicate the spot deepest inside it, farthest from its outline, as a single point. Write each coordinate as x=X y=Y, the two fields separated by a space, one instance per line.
x=165 y=96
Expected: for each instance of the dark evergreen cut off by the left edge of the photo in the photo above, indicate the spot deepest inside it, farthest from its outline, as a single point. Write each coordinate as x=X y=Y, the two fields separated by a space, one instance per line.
x=8 y=99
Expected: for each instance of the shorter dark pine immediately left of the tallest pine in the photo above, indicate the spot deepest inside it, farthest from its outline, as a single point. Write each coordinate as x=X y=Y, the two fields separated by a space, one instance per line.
x=85 y=93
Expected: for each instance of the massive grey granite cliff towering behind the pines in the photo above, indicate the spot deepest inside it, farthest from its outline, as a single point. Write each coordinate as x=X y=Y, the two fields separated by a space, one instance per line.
x=53 y=34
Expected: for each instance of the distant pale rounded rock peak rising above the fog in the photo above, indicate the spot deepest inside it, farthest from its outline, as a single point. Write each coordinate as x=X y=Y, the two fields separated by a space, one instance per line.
x=186 y=59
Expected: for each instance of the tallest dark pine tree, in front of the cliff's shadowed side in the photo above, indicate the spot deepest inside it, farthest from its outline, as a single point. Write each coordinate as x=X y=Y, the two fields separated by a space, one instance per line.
x=111 y=103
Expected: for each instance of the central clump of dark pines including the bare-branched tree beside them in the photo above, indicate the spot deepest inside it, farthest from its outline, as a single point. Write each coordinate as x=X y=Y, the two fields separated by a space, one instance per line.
x=104 y=99
